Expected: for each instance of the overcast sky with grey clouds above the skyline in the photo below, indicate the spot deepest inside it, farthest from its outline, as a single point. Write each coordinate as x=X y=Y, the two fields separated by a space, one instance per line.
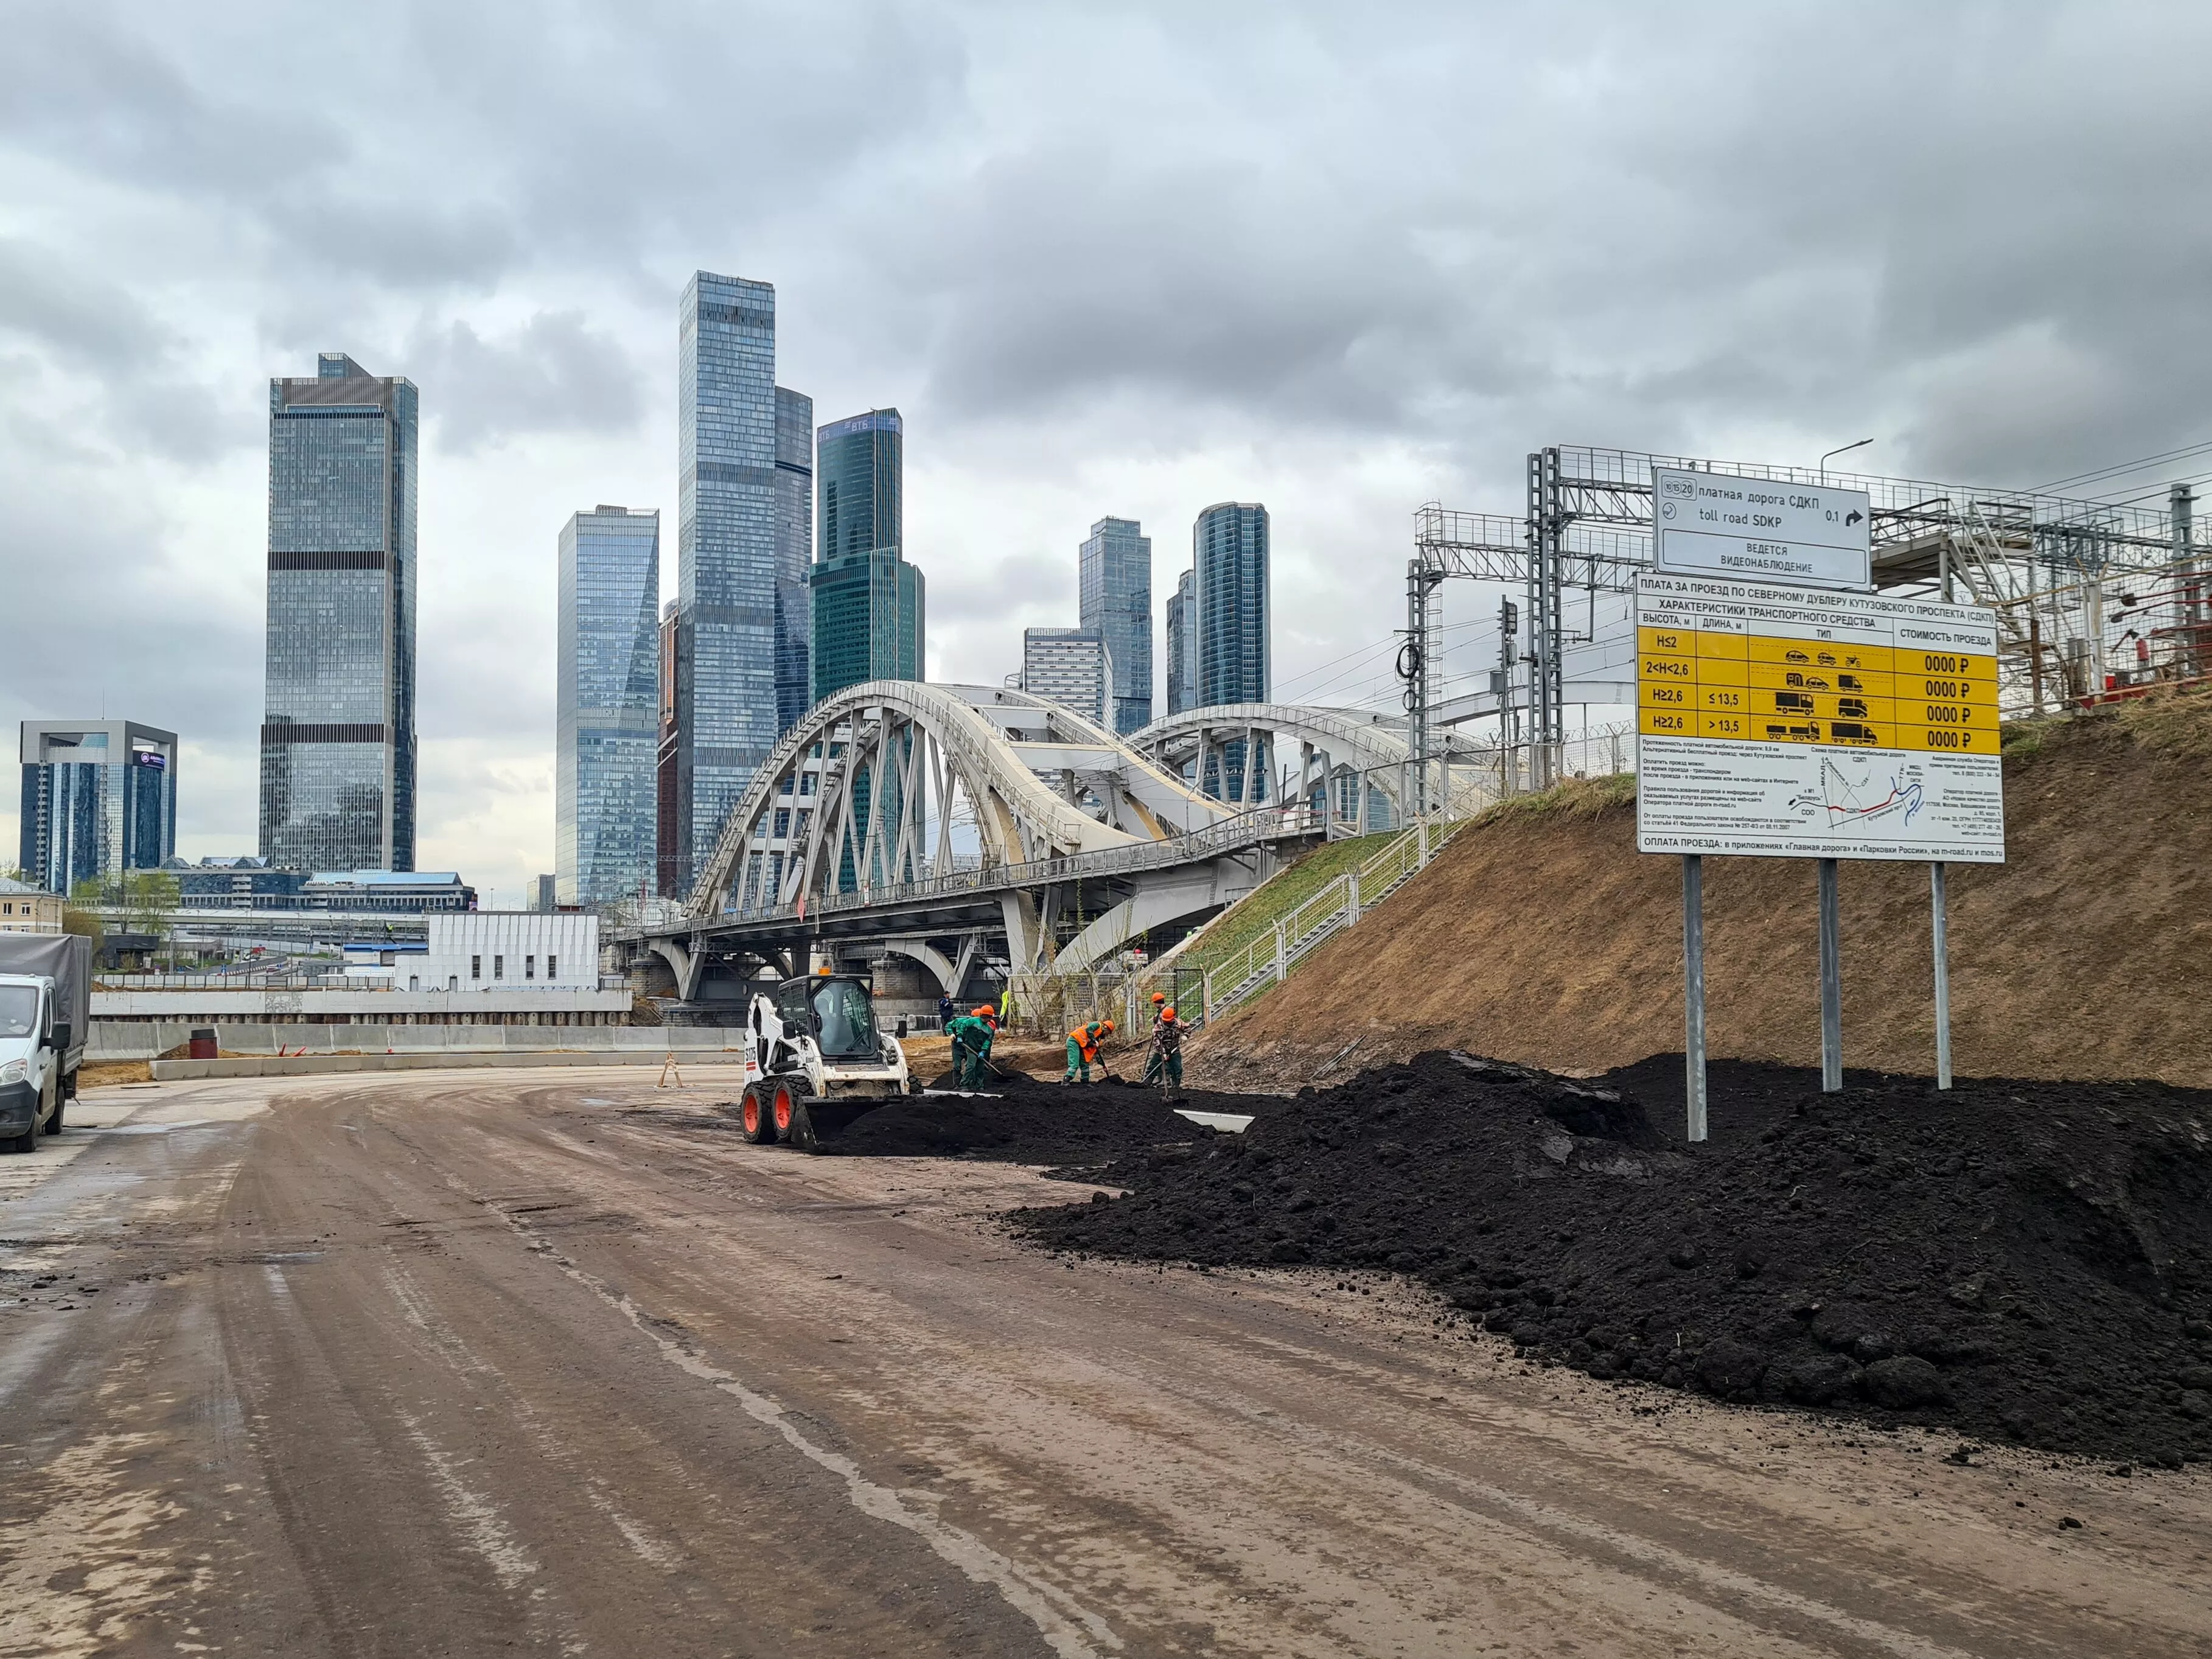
x=1105 y=260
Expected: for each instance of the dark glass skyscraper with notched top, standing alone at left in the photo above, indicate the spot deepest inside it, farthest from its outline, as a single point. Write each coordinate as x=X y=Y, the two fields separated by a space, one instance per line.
x=337 y=735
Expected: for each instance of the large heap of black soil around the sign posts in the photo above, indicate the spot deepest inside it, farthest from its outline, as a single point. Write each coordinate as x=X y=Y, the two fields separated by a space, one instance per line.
x=2012 y=1260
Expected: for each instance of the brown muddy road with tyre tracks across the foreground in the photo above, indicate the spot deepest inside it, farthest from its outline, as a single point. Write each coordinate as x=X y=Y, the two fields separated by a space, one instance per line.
x=503 y=1364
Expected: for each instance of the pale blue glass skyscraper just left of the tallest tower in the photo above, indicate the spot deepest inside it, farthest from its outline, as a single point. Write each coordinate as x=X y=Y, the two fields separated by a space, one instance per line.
x=609 y=669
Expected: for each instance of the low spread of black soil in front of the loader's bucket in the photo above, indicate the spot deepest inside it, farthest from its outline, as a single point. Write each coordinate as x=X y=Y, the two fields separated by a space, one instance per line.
x=1030 y=1123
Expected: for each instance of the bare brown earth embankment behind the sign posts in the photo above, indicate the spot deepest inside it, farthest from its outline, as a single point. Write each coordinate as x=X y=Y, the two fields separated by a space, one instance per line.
x=1543 y=937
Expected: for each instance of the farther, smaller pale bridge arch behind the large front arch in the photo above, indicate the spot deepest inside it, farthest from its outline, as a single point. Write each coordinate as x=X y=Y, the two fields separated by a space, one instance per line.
x=1353 y=760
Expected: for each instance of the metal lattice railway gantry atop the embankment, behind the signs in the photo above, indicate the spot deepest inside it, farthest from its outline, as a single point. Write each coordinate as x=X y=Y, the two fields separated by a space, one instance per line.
x=2041 y=561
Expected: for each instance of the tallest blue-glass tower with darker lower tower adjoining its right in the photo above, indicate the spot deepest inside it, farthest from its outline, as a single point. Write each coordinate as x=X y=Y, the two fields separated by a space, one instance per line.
x=742 y=554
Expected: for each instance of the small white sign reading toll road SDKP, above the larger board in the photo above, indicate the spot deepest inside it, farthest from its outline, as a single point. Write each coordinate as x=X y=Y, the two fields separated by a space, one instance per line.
x=1760 y=532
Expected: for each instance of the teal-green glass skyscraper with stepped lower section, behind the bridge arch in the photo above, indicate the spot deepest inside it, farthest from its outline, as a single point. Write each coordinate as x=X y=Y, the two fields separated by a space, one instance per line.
x=868 y=601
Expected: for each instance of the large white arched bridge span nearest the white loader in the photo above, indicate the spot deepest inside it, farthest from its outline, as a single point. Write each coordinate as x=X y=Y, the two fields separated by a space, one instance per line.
x=928 y=820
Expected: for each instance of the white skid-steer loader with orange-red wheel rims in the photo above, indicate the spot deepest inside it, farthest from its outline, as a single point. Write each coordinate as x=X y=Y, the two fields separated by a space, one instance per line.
x=815 y=1063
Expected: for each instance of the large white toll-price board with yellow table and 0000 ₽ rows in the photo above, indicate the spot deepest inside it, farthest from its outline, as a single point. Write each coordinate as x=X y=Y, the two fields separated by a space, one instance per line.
x=1815 y=724
